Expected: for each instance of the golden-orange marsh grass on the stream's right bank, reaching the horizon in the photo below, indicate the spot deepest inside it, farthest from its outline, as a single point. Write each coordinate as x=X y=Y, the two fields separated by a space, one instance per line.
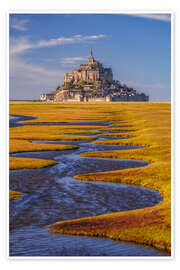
x=151 y=128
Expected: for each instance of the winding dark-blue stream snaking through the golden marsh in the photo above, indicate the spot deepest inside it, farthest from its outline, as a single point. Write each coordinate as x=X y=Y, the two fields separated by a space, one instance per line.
x=51 y=194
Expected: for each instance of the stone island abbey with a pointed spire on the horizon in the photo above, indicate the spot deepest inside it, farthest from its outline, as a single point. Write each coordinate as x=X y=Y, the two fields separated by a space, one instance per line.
x=92 y=83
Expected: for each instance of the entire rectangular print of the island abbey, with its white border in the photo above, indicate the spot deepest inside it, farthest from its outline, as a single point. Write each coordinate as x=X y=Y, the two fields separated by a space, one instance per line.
x=90 y=162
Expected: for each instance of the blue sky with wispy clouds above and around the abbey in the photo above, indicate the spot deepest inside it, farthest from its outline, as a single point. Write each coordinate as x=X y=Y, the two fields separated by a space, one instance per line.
x=43 y=47
